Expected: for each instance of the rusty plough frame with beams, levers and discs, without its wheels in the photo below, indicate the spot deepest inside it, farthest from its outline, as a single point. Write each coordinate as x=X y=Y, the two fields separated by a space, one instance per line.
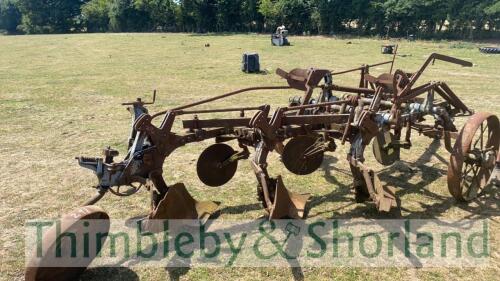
x=384 y=108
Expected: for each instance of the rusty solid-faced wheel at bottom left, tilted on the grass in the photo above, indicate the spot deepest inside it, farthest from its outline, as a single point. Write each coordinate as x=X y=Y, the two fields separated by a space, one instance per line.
x=50 y=267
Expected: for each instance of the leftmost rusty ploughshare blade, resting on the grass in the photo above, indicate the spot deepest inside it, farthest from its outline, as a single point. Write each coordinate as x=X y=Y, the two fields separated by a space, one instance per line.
x=179 y=204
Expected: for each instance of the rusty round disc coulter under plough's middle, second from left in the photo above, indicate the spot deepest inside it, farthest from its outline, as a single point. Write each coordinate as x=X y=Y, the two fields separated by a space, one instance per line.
x=295 y=159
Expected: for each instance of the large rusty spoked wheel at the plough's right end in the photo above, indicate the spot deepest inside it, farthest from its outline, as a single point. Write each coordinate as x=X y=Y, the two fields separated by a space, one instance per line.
x=474 y=156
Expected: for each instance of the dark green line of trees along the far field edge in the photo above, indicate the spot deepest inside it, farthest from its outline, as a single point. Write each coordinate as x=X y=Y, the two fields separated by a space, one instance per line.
x=464 y=19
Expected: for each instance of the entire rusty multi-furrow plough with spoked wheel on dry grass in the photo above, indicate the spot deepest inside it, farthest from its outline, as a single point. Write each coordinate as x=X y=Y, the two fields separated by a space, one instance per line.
x=384 y=111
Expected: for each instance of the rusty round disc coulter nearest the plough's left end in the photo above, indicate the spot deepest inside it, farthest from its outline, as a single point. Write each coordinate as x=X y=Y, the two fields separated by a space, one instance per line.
x=211 y=168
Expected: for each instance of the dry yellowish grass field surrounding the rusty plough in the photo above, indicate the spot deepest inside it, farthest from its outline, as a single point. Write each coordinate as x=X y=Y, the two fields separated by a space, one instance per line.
x=60 y=97
